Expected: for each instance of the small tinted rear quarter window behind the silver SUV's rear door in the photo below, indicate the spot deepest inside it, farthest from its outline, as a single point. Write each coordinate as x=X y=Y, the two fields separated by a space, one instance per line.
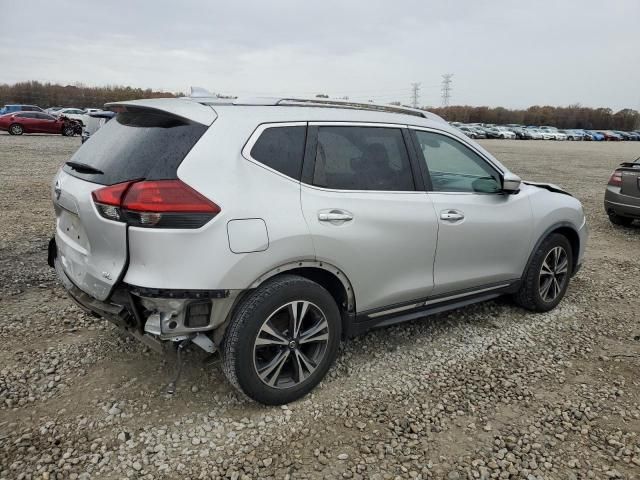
x=281 y=148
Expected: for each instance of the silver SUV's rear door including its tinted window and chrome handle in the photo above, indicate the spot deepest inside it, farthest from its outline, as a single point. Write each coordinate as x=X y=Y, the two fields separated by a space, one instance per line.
x=366 y=213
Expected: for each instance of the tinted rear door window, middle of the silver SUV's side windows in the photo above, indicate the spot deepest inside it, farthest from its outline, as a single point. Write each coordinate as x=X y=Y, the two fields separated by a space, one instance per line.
x=362 y=158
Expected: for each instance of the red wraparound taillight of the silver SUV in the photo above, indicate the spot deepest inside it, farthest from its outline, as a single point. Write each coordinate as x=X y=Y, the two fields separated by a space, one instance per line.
x=155 y=203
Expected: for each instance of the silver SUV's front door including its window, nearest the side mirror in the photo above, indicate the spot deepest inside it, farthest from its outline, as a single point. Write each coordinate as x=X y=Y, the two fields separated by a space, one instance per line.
x=484 y=235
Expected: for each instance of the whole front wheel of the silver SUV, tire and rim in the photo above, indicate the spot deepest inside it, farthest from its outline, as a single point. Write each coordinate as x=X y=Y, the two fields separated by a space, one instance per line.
x=547 y=277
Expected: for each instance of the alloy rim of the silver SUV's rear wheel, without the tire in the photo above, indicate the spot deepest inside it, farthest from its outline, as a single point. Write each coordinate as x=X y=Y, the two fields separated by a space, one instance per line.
x=291 y=344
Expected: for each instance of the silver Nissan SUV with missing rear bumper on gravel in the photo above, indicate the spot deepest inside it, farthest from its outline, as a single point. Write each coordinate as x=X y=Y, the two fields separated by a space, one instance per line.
x=271 y=229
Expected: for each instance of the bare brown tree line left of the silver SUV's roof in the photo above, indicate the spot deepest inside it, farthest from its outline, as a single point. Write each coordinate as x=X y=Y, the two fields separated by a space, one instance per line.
x=47 y=95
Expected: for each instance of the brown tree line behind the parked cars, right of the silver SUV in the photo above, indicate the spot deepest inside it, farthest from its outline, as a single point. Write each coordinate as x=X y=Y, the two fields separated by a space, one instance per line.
x=573 y=116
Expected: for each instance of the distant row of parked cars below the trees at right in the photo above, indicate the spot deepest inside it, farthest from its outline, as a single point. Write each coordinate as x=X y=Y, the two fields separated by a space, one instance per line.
x=532 y=132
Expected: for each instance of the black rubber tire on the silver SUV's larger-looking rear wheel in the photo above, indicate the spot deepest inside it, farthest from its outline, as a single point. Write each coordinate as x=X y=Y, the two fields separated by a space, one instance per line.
x=239 y=349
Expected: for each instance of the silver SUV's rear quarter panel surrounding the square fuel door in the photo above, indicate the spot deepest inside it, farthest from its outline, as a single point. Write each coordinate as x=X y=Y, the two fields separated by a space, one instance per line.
x=202 y=259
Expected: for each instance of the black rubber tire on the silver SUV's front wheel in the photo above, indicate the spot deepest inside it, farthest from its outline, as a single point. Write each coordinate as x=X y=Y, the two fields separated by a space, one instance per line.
x=529 y=295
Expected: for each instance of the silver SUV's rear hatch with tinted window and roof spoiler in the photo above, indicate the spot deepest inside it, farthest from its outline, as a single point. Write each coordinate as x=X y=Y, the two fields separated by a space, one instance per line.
x=147 y=140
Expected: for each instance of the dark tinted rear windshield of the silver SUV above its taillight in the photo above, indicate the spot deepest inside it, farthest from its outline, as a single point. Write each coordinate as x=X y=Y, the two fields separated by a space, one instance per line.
x=137 y=144
